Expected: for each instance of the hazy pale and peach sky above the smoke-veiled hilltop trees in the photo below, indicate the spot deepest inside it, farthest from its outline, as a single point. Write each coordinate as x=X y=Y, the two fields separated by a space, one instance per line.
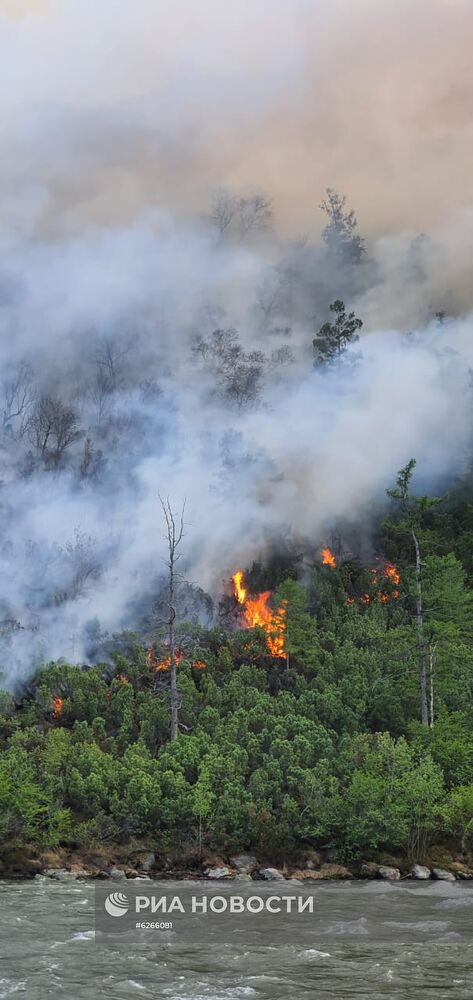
x=110 y=106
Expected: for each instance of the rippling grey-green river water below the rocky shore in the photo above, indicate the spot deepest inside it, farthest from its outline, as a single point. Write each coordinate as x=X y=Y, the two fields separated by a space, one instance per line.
x=376 y=939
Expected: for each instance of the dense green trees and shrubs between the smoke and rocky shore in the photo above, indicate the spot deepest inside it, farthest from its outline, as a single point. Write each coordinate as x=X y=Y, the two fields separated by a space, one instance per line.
x=359 y=737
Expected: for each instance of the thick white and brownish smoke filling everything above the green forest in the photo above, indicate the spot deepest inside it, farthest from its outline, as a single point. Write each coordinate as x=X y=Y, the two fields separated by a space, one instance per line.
x=161 y=176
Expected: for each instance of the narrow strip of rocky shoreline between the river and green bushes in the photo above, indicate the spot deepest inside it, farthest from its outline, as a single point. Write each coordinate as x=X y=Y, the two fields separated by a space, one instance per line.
x=142 y=864
